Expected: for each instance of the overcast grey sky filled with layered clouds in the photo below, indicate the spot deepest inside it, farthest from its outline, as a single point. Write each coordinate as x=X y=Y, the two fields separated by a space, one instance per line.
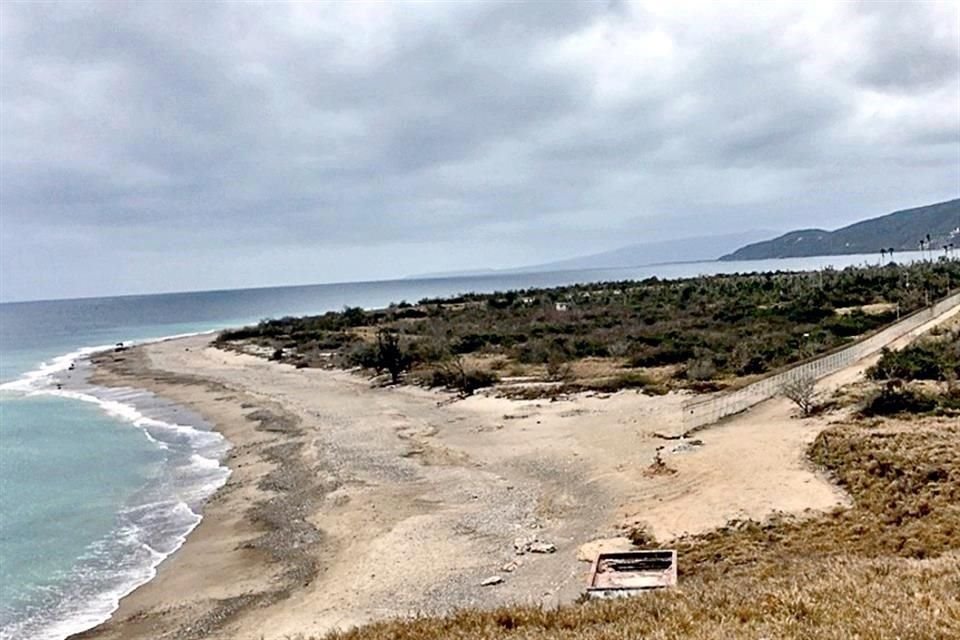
x=169 y=146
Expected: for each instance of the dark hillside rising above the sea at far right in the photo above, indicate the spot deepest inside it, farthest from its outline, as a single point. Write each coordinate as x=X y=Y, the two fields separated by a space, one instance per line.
x=901 y=230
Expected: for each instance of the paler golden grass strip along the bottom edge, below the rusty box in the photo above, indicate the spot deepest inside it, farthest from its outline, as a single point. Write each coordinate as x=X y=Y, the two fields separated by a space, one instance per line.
x=822 y=600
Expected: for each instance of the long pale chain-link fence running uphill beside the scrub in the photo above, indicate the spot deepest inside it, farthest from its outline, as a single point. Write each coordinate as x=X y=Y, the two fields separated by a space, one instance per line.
x=704 y=411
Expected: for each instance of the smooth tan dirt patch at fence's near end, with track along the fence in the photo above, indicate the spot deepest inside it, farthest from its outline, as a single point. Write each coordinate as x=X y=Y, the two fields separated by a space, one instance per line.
x=750 y=465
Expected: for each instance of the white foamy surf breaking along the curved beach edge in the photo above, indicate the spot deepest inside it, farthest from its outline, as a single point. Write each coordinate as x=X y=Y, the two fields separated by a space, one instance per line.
x=147 y=530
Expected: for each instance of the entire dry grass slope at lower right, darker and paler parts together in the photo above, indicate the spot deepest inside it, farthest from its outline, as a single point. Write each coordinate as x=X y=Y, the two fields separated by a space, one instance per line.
x=888 y=567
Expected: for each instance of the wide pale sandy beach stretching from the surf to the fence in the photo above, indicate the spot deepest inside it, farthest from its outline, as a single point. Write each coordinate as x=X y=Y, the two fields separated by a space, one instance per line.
x=401 y=502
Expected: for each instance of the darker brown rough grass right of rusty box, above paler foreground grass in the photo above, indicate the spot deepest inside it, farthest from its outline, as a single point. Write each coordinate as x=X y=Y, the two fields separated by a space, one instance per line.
x=905 y=482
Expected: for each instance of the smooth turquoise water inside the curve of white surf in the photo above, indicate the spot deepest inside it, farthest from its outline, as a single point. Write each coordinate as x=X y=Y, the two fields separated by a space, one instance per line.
x=67 y=472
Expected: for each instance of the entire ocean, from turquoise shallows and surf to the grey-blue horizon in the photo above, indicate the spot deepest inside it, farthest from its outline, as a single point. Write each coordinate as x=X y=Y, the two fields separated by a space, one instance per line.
x=98 y=486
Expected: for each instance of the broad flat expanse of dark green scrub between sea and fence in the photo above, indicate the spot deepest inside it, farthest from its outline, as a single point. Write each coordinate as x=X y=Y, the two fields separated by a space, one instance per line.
x=684 y=331
